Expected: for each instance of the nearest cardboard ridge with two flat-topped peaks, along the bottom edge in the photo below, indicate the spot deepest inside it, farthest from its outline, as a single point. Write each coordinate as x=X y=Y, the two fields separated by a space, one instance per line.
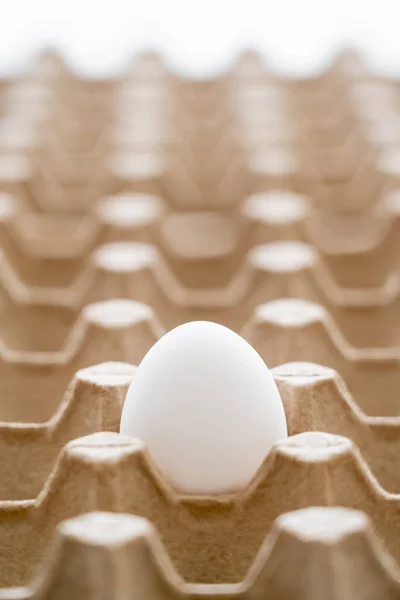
x=310 y=553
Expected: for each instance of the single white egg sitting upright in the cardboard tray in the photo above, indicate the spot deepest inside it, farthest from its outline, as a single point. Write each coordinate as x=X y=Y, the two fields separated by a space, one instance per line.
x=207 y=408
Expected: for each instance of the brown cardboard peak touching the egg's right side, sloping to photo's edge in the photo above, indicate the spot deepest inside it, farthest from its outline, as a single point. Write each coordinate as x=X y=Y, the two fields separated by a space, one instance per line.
x=316 y=398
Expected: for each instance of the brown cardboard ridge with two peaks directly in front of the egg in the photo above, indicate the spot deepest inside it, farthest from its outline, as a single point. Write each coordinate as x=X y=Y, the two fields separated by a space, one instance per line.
x=213 y=539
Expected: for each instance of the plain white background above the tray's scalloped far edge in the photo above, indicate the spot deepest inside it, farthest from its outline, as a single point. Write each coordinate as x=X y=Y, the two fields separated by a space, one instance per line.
x=200 y=36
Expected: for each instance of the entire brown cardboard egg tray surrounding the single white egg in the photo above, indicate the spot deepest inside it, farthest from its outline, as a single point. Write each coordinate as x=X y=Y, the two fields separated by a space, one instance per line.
x=132 y=204
